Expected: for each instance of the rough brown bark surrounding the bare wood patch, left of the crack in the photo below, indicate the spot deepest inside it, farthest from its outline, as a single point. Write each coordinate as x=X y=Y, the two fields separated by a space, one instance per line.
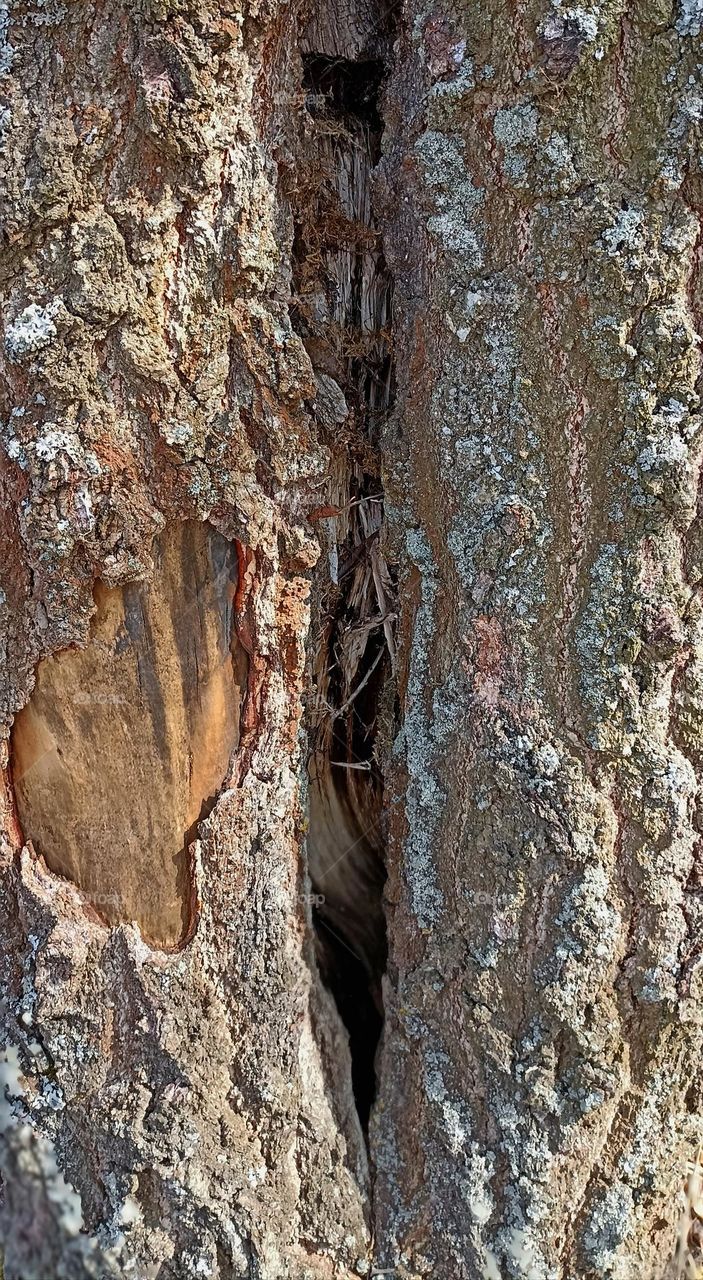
x=199 y=1101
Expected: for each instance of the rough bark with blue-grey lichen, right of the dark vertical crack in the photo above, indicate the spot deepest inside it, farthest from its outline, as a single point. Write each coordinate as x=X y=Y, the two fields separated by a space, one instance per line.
x=542 y=190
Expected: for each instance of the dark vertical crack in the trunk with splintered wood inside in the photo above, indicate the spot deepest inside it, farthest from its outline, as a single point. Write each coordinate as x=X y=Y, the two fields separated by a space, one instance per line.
x=343 y=312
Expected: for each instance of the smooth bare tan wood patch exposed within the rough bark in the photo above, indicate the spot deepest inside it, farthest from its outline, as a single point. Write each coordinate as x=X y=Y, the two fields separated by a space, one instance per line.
x=125 y=744
